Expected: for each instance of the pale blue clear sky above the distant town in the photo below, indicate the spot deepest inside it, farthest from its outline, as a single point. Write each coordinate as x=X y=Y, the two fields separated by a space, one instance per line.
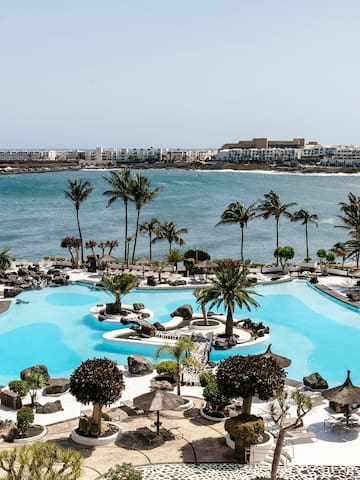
x=178 y=73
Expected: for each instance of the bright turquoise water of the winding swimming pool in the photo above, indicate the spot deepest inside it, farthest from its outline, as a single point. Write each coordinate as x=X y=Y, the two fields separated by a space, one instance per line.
x=56 y=329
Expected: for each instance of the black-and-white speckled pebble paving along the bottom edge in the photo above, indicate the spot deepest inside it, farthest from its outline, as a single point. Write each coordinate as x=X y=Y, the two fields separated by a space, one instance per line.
x=229 y=471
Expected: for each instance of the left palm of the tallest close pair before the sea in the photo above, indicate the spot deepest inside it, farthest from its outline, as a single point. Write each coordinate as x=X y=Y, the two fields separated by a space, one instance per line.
x=121 y=184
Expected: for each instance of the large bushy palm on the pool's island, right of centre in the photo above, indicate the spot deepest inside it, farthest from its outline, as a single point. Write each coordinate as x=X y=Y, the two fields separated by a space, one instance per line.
x=229 y=287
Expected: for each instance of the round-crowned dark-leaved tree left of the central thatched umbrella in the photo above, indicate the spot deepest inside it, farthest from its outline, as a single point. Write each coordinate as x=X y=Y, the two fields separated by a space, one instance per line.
x=100 y=382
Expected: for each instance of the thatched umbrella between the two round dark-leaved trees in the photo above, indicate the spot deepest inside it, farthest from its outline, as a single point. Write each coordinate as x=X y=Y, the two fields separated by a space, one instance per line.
x=156 y=401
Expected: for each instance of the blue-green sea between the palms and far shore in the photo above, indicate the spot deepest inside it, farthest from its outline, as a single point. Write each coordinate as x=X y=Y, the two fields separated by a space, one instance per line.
x=36 y=216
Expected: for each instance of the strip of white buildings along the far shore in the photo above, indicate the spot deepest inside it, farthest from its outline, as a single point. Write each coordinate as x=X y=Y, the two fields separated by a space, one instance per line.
x=251 y=154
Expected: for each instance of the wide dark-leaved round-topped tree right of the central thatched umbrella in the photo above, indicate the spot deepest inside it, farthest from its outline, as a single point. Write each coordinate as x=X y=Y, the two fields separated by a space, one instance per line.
x=246 y=377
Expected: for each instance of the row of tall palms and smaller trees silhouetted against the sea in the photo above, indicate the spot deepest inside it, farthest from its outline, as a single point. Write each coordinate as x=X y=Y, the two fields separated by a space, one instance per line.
x=135 y=191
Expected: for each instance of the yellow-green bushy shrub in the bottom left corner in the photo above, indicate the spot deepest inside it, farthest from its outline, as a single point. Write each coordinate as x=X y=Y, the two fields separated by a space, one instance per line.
x=45 y=461
